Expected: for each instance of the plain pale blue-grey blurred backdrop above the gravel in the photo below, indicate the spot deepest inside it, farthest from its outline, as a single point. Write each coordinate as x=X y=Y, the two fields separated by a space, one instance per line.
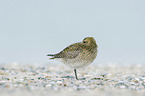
x=30 y=29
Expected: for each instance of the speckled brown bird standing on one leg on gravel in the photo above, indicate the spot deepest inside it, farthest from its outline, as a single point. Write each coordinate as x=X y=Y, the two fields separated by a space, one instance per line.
x=79 y=54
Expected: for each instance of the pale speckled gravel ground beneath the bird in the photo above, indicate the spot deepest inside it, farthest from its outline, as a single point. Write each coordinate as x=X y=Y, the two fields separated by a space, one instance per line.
x=58 y=80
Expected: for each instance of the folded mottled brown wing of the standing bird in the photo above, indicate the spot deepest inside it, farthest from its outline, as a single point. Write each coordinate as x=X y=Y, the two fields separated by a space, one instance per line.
x=69 y=52
